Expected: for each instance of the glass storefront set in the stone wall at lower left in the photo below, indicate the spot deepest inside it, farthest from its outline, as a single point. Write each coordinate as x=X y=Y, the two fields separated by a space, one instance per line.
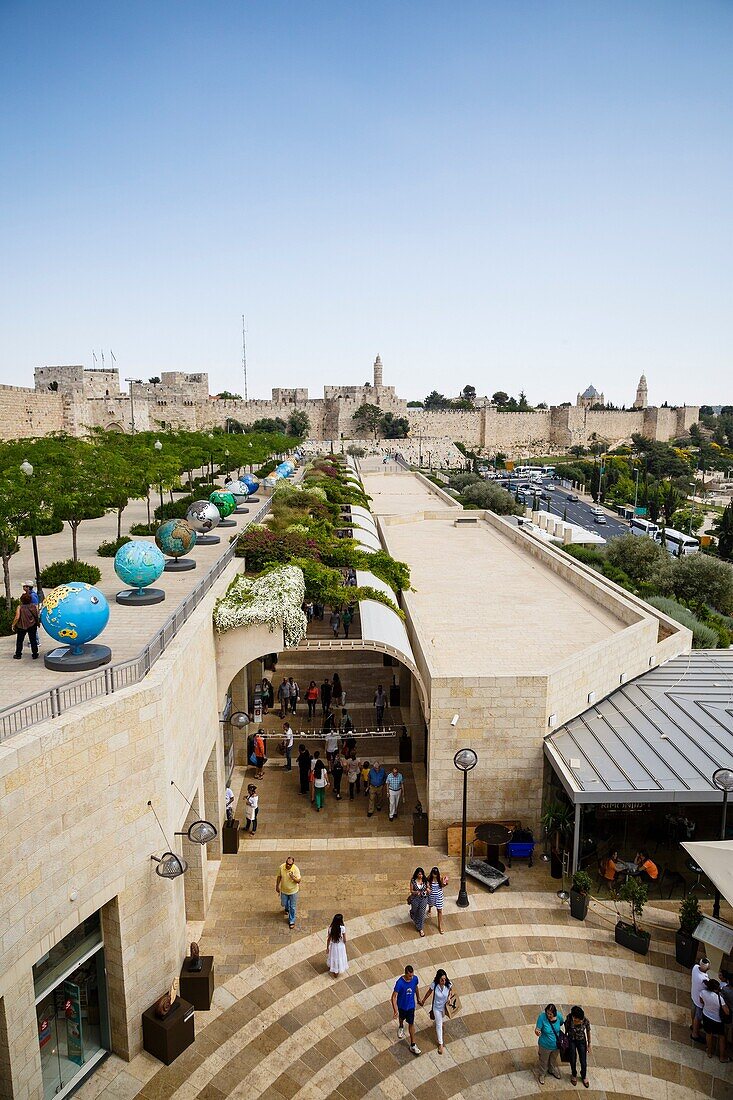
x=72 y=1009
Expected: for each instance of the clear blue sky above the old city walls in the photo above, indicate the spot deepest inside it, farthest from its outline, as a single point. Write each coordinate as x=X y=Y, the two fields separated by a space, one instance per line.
x=506 y=194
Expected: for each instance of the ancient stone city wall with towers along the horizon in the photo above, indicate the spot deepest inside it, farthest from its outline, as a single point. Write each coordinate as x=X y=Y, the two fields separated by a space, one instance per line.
x=75 y=400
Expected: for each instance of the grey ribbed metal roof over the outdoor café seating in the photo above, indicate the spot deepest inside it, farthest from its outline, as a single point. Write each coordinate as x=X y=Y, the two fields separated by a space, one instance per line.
x=658 y=739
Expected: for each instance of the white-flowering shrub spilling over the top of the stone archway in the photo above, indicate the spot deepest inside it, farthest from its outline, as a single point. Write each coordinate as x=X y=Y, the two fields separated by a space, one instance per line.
x=275 y=599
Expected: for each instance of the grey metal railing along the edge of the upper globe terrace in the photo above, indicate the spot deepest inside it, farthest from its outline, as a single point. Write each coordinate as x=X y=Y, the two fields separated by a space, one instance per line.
x=57 y=701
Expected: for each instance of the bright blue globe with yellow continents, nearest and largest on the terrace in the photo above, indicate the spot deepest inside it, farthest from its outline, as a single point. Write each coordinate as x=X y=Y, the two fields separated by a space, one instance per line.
x=75 y=614
